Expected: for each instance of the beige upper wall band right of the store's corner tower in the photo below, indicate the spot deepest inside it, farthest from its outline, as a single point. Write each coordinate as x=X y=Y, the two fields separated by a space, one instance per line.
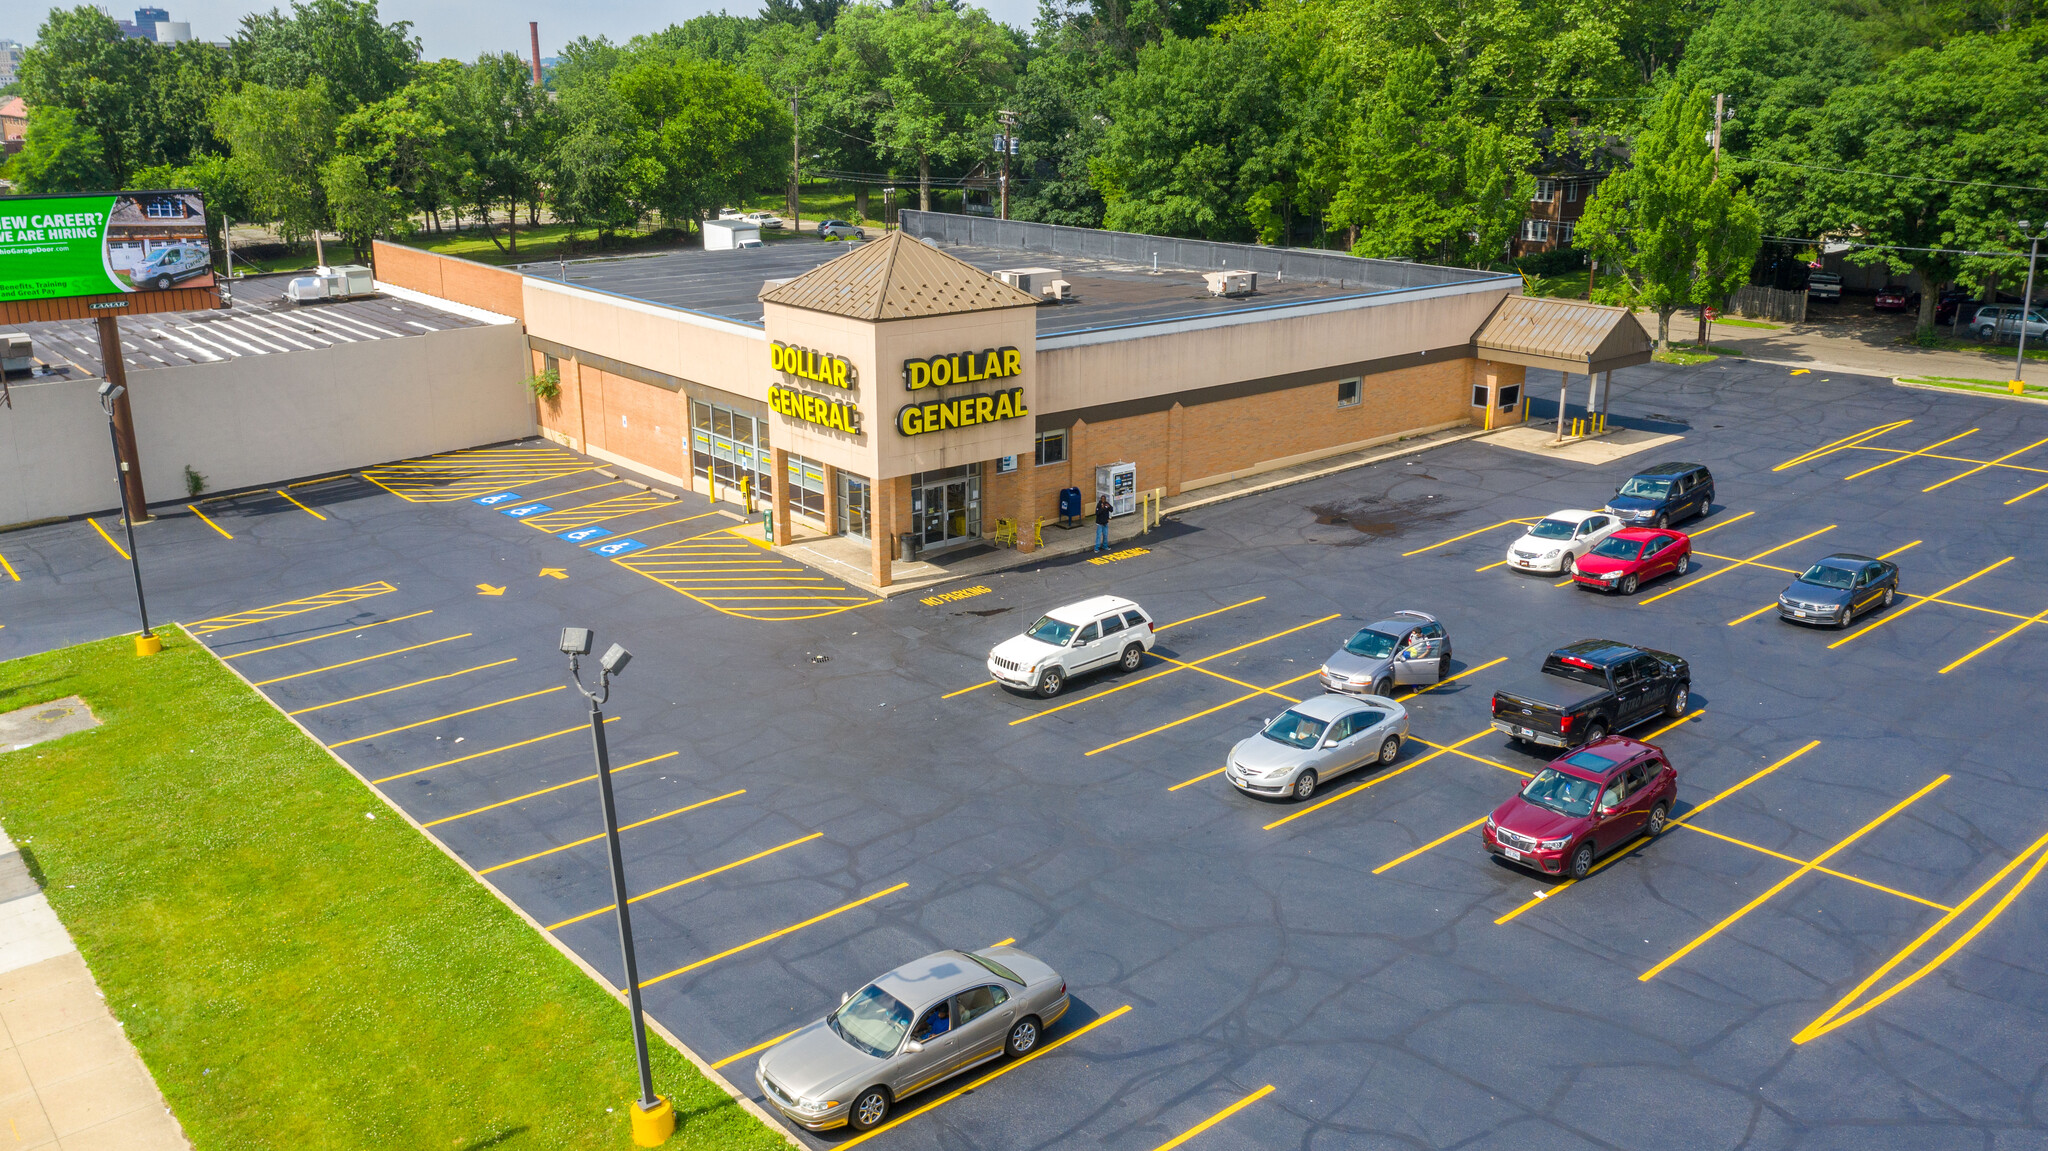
x=1082 y=372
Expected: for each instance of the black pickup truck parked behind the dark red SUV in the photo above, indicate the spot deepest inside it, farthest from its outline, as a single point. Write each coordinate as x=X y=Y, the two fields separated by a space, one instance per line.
x=1590 y=689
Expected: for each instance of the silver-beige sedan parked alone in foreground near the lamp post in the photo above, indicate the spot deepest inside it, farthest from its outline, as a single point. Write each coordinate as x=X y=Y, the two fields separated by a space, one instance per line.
x=910 y=1029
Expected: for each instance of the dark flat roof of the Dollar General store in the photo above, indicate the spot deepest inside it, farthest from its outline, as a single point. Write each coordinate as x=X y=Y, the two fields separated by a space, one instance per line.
x=1107 y=292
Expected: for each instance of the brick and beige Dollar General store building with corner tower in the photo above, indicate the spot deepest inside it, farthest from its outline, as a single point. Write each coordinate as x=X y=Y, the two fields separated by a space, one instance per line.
x=964 y=372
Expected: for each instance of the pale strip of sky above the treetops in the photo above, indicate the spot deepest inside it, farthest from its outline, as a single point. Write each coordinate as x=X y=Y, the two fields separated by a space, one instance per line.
x=466 y=30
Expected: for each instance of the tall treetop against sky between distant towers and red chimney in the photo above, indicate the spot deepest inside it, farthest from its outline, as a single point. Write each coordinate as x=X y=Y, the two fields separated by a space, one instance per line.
x=339 y=42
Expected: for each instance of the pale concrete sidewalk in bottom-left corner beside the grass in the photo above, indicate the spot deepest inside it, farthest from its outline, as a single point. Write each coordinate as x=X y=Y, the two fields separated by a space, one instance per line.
x=69 y=1078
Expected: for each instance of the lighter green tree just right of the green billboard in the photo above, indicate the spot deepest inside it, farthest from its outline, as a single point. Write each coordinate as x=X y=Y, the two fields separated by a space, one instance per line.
x=282 y=140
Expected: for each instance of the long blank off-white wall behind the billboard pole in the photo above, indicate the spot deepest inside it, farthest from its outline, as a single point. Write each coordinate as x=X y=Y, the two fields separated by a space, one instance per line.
x=267 y=419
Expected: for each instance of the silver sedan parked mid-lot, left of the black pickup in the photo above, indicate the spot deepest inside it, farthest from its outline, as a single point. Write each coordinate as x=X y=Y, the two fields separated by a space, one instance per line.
x=1314 y=742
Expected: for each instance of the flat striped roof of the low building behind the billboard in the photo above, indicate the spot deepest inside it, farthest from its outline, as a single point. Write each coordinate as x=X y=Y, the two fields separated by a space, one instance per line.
x=259 y=325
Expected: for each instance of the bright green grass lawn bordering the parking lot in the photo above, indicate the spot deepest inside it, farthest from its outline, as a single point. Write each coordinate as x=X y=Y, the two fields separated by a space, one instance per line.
x=296 y=964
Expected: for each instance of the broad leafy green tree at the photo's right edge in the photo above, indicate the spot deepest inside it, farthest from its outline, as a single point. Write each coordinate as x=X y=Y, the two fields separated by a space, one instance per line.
x=1932 y=159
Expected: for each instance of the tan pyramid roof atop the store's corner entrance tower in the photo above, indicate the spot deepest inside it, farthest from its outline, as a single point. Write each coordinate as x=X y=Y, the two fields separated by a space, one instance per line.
x=898 y=280
